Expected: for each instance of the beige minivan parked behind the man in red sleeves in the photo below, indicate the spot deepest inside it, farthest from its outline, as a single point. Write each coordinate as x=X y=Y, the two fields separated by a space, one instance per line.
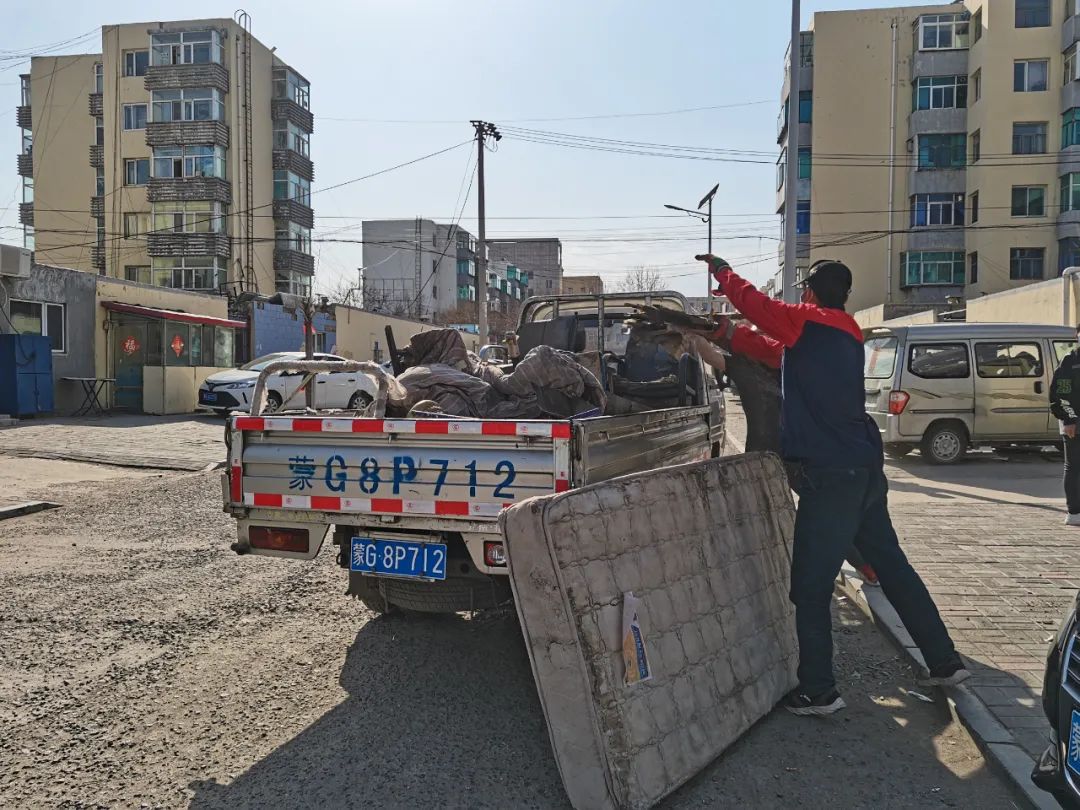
x=944 y=388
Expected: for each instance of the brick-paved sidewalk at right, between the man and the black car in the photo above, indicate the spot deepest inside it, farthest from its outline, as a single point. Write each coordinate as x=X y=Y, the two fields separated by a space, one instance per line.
x=989 y=539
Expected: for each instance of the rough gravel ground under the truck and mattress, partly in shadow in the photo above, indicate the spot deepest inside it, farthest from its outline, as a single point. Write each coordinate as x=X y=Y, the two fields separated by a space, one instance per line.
x=144 y=665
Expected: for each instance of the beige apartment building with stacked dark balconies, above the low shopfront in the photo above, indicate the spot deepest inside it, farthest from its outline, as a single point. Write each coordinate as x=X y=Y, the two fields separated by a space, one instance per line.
x=178 y=156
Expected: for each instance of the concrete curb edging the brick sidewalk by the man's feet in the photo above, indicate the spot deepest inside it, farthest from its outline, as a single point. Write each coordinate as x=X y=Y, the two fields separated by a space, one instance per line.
x=998 y=746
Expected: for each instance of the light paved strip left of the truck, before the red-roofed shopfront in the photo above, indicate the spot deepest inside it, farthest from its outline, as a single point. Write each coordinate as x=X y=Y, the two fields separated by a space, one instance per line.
x=156 y=442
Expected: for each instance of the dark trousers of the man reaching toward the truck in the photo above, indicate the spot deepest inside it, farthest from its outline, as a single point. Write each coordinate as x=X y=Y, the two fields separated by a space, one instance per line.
x=840 y=508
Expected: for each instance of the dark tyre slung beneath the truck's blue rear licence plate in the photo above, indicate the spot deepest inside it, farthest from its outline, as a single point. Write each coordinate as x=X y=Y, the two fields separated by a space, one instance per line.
x=450 y=597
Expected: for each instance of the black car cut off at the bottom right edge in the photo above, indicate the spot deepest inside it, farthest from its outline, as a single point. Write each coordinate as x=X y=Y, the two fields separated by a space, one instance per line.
x=1058 y=771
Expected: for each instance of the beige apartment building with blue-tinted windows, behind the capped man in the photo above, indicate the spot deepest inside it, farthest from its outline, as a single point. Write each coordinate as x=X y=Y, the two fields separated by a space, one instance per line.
x=939 y=147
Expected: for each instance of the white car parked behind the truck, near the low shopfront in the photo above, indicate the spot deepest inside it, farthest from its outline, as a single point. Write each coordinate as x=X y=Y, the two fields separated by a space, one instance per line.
x=233 y=390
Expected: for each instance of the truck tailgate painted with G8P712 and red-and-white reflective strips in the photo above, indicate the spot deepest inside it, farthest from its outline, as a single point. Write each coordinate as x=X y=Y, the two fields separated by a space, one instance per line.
x=450 y=468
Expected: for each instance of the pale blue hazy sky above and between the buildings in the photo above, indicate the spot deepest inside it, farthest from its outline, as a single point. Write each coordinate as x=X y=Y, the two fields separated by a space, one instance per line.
x=396 y=80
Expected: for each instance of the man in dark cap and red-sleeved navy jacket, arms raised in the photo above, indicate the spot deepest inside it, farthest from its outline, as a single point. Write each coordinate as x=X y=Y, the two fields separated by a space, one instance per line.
x=835 y=452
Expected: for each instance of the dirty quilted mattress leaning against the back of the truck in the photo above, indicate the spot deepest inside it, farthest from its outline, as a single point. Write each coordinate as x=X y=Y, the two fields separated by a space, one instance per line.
x=704 y=550
